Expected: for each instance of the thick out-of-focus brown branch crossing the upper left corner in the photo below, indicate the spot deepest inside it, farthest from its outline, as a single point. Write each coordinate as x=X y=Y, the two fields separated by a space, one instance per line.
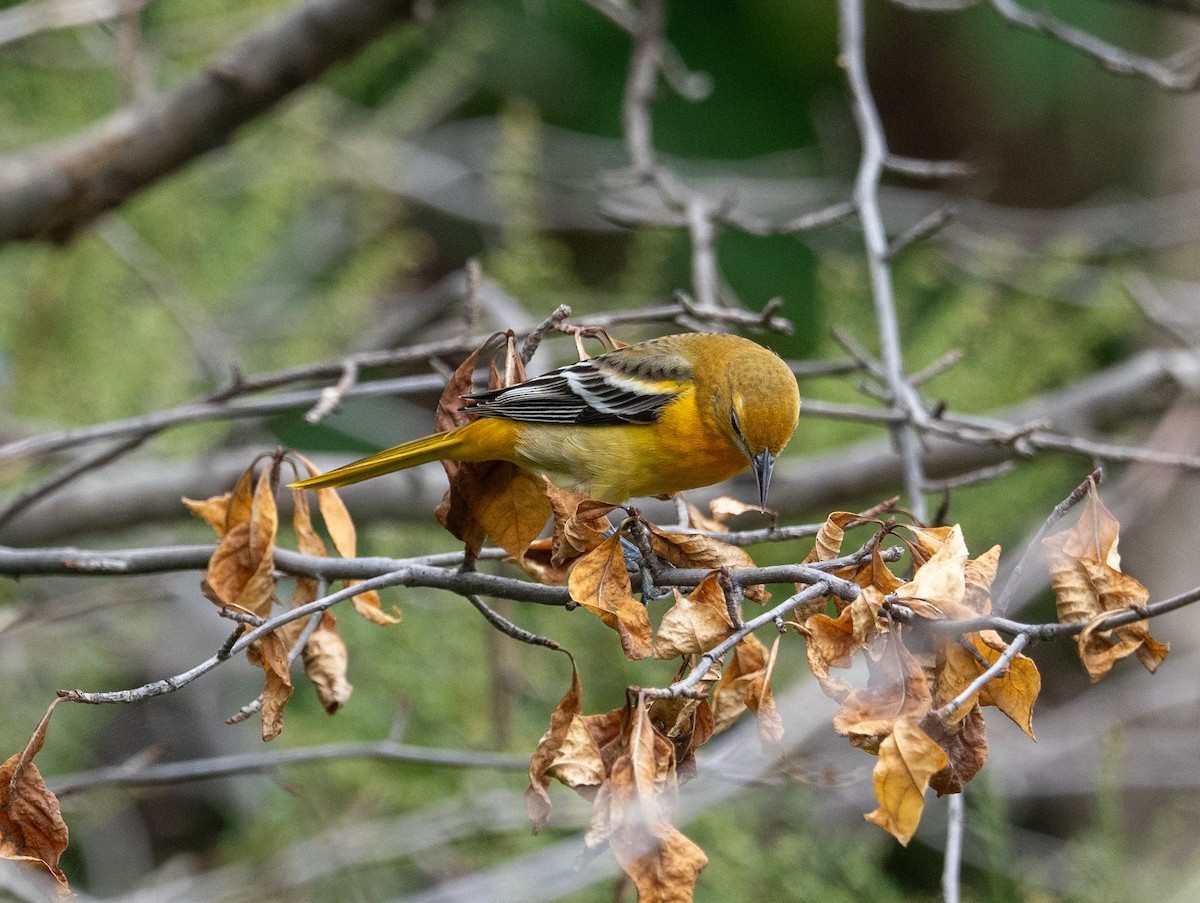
x=51 y=193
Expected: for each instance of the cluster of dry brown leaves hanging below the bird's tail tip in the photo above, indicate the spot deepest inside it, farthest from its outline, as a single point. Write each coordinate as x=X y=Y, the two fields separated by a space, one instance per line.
x=242 y=577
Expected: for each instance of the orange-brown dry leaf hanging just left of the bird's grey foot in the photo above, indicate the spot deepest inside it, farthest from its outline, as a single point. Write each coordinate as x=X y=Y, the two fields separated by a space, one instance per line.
x=599 y=582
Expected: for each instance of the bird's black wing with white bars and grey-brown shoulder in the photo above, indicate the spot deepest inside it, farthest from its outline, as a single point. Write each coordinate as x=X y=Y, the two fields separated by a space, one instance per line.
x=627 y=386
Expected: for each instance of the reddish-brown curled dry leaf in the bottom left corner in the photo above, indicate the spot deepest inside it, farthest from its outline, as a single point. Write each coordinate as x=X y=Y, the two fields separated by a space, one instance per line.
x=32 y=828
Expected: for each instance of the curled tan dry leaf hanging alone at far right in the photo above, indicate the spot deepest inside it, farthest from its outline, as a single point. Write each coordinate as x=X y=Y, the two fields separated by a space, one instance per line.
x=1085 y=572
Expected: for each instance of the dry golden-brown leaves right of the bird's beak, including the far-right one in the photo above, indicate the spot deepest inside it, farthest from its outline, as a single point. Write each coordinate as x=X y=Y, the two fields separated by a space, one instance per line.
x=920 y=710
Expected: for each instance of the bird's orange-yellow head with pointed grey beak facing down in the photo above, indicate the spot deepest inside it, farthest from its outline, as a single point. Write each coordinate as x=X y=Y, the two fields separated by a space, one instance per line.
x=760 y=410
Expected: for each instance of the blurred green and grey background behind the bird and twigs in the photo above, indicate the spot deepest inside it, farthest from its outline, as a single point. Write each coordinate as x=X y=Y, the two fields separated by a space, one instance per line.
x=343 y=222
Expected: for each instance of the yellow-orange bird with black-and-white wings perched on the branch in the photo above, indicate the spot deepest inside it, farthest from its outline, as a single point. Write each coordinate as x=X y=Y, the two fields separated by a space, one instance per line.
x=655 y=418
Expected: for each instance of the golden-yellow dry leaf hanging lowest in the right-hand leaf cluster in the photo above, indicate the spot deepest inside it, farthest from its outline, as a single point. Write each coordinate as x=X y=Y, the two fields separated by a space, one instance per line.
x=909 y=758
